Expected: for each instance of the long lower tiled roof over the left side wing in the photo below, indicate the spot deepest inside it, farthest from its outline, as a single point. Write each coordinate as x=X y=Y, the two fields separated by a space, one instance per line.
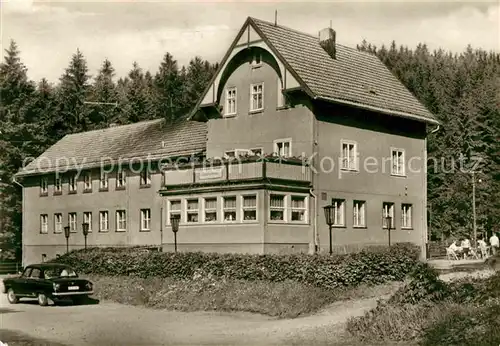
x=152 y=139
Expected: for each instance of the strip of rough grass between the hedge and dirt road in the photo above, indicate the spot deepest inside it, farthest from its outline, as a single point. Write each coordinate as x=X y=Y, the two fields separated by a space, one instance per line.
x=288 y=299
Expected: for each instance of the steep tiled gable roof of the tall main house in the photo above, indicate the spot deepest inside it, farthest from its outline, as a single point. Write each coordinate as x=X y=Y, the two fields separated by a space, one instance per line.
x=355 y=78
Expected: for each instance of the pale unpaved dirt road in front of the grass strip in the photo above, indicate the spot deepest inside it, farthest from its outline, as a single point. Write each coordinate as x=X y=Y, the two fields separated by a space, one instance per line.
x=114 y=324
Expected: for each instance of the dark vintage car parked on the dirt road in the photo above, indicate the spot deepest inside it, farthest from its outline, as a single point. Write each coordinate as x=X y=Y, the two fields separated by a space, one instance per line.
x=47 y=281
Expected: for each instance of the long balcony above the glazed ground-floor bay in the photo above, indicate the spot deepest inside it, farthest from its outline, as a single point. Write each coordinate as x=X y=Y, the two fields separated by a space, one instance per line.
x=239 y=170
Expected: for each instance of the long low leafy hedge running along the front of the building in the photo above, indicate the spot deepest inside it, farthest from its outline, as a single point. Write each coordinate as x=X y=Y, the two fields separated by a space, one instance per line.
x=371 y=266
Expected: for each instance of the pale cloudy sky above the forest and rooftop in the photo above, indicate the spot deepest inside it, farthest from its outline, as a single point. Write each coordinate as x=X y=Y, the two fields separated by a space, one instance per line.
x=49 y=32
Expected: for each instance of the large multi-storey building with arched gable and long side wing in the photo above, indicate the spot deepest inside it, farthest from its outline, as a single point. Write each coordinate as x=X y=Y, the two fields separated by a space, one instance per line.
x=289 y=123
